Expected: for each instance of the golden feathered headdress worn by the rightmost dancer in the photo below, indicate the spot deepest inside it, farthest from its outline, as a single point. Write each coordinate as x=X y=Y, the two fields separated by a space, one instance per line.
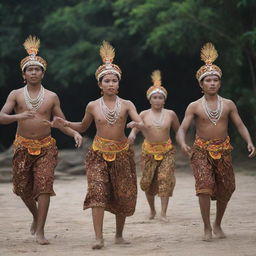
x=208 y=55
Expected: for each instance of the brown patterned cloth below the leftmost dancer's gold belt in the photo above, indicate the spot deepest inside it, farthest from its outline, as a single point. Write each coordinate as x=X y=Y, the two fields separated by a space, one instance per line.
x=34 y=174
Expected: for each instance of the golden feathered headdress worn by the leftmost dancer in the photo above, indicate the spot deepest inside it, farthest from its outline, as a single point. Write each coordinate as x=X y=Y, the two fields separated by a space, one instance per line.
x=32 y=44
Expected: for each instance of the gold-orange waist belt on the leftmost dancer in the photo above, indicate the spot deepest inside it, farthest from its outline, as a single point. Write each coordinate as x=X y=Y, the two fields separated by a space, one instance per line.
x=33 y=146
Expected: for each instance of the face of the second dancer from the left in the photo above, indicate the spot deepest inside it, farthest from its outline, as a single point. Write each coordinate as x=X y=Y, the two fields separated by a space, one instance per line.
x=109 y=84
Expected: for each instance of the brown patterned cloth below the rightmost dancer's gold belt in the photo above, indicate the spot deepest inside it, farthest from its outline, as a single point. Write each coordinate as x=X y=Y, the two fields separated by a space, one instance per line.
x=213 y=176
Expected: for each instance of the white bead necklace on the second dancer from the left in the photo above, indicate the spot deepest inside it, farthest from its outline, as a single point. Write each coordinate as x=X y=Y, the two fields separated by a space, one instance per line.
x=111 y=115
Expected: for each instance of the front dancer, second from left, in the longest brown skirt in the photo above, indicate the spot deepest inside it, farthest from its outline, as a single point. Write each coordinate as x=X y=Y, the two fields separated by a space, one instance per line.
x=110 y=166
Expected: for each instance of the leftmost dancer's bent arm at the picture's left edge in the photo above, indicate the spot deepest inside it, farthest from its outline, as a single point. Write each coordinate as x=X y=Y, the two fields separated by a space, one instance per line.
x=5 y=114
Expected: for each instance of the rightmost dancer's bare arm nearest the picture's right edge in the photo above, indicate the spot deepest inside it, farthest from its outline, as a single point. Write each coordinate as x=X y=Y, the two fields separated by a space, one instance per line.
x=236 y=119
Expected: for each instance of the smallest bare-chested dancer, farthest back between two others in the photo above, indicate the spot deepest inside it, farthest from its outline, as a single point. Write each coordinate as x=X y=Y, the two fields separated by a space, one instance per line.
x=157 y=159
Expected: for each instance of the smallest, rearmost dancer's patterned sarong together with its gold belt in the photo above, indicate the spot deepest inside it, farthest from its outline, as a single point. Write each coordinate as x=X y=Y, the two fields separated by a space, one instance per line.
x=157 y=166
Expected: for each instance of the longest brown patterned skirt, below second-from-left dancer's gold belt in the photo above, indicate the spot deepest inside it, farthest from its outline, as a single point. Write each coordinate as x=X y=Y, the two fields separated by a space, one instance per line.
x=111 y=185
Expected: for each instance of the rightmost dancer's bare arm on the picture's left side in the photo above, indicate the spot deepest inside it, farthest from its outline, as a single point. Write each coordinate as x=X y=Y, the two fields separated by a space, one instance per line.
x=181 y=134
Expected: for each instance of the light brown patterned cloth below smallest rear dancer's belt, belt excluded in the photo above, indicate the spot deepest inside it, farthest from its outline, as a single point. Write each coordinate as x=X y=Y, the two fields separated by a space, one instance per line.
x=158 y=175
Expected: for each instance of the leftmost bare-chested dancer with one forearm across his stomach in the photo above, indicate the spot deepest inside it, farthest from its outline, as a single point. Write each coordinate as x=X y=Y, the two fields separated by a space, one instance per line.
x=35 y=151
